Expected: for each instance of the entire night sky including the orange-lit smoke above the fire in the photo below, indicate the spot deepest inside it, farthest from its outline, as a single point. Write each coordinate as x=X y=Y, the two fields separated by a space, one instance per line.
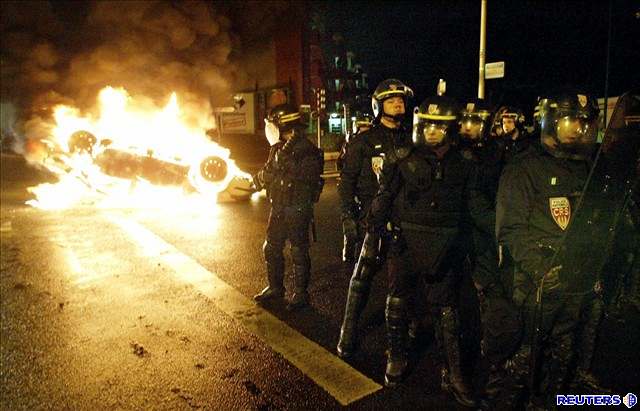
x=65 y=51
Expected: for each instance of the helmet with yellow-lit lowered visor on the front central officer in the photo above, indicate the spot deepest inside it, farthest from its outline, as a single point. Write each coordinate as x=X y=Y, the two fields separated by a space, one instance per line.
x=434 y=121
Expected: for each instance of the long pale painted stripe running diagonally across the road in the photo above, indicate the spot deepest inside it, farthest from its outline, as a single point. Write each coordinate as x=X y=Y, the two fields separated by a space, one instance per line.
x=336 y=377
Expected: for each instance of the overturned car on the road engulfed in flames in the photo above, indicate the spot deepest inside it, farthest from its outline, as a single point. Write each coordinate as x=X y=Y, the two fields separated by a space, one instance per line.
x=131 y=151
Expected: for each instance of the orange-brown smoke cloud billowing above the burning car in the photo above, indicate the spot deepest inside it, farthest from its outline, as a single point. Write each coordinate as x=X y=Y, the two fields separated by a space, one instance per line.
x=65 y=52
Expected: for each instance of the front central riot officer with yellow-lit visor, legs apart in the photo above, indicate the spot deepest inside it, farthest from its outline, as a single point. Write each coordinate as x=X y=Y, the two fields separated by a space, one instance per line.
x=426 y=190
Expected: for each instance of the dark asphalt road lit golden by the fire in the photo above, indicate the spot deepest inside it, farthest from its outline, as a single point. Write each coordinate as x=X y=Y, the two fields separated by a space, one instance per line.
x=151 y=309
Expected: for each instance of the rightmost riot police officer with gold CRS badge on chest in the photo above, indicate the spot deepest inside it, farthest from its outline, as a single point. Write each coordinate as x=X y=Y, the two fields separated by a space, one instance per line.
x=536 y=198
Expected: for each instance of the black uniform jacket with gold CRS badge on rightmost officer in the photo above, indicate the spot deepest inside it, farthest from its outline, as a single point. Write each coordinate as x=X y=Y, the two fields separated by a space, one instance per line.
x=536 y=198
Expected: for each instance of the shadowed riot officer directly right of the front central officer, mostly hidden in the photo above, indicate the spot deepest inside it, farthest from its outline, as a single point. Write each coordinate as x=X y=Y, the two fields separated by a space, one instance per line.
x=501 y=328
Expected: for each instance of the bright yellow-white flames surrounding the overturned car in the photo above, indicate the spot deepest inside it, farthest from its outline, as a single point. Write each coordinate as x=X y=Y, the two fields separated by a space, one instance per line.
x=138 y=128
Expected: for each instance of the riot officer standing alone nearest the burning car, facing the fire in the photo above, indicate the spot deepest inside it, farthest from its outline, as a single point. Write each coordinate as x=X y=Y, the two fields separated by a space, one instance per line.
x=291 y=177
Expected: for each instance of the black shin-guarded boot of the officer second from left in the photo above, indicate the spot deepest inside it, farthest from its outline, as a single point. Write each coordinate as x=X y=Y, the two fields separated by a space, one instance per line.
x=356 y=301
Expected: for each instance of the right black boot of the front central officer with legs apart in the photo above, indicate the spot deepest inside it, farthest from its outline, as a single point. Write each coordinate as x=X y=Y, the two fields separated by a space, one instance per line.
x=453 y=379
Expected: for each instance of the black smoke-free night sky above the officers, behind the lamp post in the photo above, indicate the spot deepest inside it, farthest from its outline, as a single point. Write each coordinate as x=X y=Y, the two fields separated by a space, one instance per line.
x=546 y=45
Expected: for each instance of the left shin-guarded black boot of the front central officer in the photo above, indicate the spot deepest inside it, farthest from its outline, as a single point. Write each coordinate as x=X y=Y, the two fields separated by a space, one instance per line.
x=397 y=357
